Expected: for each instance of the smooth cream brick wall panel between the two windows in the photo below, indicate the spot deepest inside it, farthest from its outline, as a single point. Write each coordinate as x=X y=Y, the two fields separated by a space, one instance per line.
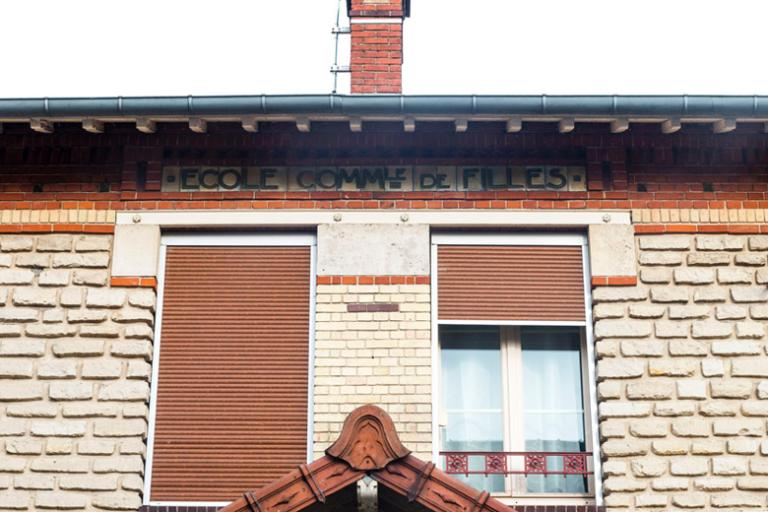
x=374 y=357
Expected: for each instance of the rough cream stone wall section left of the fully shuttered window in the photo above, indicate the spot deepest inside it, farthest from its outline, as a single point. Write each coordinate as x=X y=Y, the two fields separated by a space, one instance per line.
x=74 y=376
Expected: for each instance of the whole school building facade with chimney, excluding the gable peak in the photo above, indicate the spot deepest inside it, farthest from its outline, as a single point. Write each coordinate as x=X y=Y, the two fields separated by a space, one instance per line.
x=558 y=300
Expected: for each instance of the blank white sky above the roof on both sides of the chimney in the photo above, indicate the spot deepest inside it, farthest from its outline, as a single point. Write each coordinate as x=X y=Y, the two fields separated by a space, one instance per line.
x=170 y=47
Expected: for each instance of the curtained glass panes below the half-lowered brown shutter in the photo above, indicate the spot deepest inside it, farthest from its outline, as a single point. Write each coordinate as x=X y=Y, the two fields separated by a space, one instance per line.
x=514 y=389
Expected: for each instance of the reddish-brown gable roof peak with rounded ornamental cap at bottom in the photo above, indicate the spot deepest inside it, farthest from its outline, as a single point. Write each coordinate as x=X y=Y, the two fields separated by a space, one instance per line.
x=367 y=445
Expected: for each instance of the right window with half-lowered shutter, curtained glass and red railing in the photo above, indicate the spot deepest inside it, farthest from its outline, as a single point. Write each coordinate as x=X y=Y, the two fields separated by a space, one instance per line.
x=514 y=415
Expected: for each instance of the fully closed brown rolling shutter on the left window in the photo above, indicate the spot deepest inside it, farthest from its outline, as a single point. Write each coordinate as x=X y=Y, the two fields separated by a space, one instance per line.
x=233 y=376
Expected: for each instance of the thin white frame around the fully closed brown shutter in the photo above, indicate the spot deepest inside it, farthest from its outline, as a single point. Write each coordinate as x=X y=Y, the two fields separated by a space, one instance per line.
x=224 y=240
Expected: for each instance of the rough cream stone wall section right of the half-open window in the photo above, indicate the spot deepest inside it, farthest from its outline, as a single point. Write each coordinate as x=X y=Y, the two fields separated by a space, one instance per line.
x=683 y=376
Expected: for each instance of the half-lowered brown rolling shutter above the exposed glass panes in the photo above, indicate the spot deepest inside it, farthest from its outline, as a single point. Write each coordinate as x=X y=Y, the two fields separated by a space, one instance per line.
x=505 y=282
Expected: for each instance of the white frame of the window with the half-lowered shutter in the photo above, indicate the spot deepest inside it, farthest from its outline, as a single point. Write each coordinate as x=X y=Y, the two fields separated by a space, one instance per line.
x=510 y=329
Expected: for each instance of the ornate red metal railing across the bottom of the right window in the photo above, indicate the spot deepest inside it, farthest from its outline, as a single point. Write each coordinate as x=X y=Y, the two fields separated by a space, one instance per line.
x=519 y=463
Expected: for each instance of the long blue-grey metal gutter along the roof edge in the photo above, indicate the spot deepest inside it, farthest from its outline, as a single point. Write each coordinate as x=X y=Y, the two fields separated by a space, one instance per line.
x=740 y=107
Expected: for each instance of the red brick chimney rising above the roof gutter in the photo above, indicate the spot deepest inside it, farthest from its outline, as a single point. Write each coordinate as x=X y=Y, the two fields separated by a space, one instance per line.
x=376 y=64
